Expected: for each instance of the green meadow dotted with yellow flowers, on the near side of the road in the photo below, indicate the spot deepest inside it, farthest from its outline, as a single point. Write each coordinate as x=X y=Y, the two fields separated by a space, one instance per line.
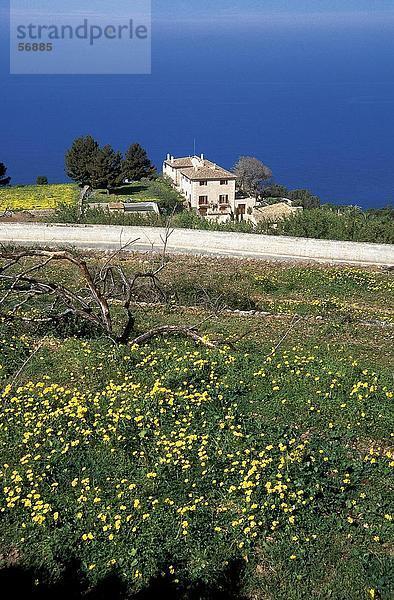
x=270 y=471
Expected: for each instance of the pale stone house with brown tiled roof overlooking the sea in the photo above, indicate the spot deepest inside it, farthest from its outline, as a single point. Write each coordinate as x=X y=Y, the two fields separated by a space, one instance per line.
x=208 y=189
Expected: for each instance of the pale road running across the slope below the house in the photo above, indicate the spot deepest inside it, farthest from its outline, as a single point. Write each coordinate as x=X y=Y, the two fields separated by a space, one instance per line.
x=189 y=241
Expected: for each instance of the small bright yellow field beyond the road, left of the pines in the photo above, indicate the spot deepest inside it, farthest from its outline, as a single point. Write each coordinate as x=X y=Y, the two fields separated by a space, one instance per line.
x=35 y=197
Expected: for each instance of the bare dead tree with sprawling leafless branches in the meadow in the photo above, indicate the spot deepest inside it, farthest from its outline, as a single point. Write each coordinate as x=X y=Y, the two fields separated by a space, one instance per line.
x=28 y=287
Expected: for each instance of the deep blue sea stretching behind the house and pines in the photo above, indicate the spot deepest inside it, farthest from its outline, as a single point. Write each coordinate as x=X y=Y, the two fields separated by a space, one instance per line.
x=314 y=101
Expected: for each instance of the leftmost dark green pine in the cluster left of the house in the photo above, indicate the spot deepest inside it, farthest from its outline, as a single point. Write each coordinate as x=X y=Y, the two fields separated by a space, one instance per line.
x=81 y=158
